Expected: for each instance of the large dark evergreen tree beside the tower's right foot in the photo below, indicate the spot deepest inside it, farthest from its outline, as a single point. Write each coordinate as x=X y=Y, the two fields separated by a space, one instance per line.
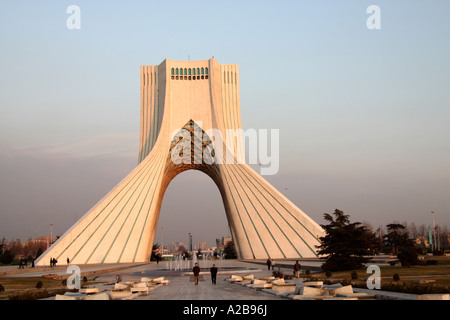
x=345 y=244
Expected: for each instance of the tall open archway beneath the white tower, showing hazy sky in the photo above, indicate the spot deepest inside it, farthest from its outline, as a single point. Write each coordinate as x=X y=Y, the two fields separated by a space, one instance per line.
x=192 y=203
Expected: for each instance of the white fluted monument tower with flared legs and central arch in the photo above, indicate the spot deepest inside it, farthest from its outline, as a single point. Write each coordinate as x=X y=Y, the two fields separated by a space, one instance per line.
x=190 y=119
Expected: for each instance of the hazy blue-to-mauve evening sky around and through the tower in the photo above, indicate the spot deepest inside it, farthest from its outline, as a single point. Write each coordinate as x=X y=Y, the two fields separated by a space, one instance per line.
x=363 y=113
